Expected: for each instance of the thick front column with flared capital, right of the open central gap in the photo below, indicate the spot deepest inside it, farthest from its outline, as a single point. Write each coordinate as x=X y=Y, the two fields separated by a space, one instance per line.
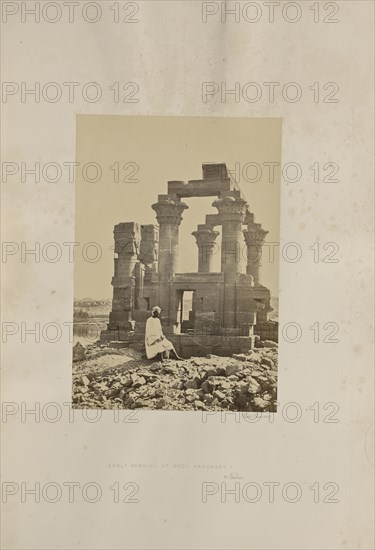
x=232 y=211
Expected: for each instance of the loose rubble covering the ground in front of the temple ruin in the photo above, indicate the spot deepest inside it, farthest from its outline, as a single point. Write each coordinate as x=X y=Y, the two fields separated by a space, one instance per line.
x=121 y=379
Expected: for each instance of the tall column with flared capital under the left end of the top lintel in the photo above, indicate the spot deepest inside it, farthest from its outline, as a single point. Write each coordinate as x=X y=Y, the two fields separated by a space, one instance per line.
x=169 y=216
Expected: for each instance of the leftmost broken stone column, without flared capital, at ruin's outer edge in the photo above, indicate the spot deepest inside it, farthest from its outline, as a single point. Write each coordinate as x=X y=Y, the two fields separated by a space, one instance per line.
x=127 y=246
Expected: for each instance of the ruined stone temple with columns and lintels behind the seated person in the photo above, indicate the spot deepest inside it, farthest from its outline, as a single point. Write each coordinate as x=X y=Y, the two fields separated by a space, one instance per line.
x=202 y=312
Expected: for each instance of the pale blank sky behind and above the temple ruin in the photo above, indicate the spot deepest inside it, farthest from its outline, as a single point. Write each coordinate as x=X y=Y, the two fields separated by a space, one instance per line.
x=158 y=149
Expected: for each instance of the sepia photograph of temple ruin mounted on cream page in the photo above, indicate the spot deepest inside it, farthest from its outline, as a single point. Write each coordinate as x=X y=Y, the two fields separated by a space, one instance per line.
x=180 y=311
